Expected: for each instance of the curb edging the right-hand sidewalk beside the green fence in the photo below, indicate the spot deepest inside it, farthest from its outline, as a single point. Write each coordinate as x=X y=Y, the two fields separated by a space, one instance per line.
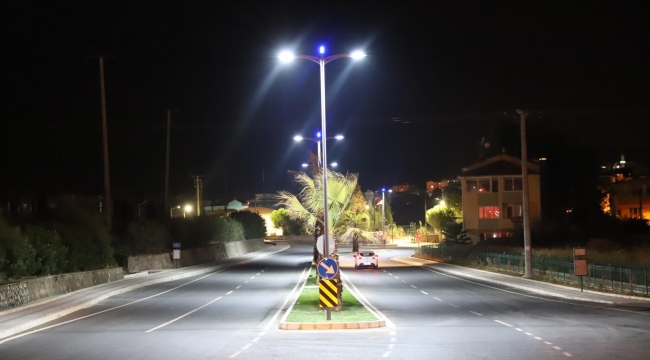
x=523 y=287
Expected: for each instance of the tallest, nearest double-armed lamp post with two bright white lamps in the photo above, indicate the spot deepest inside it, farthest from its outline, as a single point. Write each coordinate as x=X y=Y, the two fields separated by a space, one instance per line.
x=322 y=60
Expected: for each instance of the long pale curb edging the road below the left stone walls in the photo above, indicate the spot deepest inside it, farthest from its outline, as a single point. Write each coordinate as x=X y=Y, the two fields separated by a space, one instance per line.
x=102 y=296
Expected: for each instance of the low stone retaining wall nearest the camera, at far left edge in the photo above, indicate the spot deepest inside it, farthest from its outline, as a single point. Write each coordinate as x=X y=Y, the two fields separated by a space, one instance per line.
x=25 y=292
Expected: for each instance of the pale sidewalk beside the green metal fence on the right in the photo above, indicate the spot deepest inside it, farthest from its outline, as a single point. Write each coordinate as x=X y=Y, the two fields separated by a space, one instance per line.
x=539 y=287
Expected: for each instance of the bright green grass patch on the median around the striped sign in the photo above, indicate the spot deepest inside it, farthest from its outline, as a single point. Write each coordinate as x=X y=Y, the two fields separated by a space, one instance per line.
x=306 y=309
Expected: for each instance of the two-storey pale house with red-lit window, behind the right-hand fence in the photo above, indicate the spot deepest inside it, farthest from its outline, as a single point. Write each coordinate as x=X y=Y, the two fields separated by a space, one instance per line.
x=493 y=197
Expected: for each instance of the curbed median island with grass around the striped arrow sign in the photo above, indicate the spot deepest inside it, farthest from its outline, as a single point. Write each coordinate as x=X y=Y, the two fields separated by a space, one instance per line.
x=305 y=313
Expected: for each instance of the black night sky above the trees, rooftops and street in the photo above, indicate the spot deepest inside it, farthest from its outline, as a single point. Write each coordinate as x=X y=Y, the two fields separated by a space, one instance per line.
x=448 y=71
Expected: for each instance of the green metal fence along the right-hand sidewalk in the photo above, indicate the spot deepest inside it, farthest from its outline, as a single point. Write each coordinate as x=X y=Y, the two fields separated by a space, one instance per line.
x=631 y=278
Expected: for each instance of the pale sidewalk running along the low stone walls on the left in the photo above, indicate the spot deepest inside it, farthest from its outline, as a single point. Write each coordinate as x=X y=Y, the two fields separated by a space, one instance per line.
x=16 y=320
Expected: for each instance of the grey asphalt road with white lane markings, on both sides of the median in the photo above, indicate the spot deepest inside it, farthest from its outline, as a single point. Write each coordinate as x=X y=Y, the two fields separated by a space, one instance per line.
x=235 y=313
